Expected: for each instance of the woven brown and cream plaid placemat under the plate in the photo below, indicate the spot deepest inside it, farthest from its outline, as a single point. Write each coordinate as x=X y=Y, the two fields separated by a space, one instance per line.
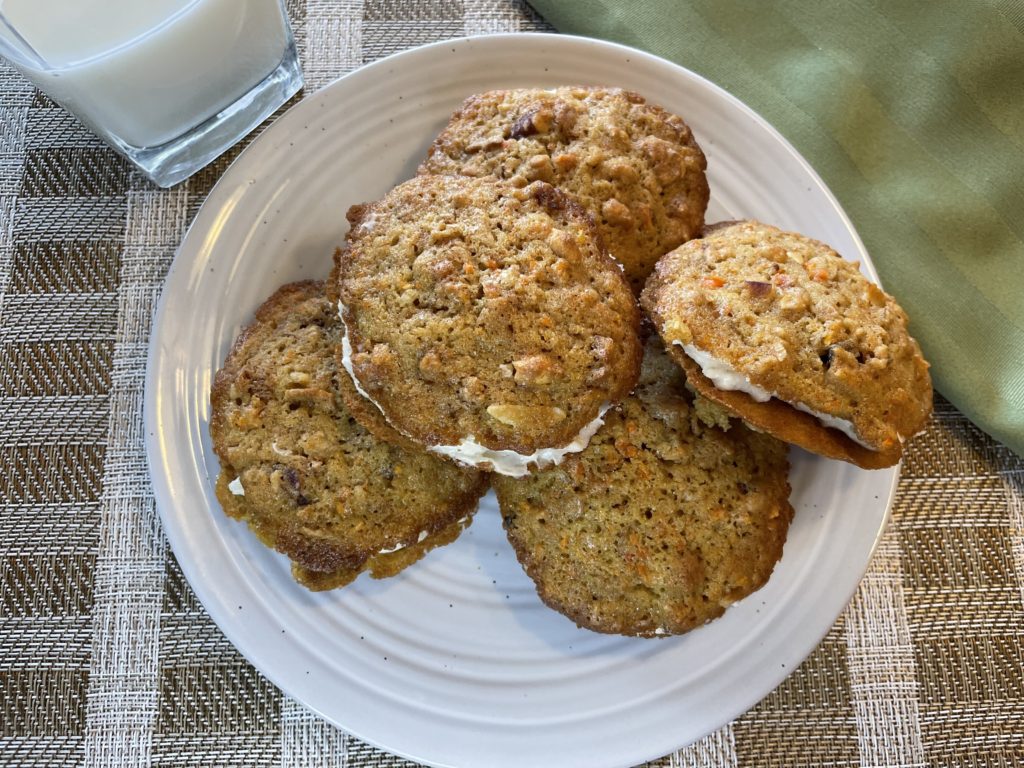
x=107 y=659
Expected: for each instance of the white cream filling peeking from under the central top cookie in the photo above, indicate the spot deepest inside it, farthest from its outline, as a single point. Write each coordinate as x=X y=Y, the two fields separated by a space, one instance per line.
x=470 y=451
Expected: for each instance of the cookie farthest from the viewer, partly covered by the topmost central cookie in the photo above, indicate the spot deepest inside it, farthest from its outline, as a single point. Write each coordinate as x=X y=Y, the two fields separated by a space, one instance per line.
x=634 y=166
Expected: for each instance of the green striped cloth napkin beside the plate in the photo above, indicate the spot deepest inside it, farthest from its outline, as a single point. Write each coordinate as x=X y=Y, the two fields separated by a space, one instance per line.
x=914 y=115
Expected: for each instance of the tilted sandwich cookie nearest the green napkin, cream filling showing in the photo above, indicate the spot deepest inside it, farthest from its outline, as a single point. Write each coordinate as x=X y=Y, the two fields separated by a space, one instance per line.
x=783 y=331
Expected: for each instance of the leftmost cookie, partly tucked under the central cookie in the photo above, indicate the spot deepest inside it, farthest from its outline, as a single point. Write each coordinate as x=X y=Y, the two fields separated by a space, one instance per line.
x=307 y=478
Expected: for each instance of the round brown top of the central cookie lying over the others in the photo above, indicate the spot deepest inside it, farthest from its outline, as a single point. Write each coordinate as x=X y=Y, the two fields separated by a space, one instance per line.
x=477 y=311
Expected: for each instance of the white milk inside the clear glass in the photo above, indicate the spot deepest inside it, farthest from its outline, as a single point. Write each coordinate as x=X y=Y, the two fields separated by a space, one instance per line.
x=146 y=72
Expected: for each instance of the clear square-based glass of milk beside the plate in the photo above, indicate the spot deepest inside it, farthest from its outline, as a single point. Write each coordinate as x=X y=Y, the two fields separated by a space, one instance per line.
x=172 y=84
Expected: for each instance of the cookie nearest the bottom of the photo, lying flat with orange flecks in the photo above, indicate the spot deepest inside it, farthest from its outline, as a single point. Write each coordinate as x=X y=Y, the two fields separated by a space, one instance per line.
x=661 y=524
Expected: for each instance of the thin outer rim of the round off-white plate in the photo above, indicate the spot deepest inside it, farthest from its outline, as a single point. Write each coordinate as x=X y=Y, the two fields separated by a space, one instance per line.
x=218 y=196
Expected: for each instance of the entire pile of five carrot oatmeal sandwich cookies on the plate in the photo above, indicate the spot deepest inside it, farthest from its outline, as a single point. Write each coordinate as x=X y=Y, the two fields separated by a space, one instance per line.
x=483 y=326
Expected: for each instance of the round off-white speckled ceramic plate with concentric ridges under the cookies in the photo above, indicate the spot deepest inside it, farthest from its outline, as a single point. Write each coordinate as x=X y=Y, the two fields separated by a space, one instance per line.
x=456 y=662
